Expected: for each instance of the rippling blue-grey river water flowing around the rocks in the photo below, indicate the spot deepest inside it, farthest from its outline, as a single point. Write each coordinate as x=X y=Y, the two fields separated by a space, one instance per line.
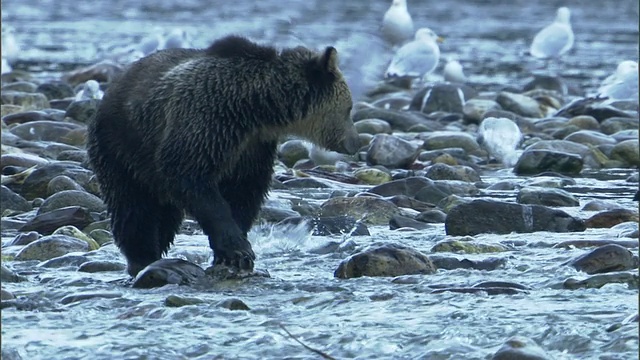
x=363 y=318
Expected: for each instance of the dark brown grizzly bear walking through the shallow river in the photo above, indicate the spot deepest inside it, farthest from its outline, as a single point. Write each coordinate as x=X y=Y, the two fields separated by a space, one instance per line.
x=196 y=131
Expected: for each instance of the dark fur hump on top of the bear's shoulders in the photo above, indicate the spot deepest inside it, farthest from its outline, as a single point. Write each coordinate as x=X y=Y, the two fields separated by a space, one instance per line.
x=234 y=46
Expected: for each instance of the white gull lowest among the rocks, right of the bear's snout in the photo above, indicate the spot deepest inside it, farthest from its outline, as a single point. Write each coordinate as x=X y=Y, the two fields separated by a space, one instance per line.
x=500 y=137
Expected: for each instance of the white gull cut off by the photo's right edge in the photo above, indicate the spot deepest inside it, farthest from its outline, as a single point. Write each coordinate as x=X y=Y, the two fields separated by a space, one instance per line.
x=623 y=84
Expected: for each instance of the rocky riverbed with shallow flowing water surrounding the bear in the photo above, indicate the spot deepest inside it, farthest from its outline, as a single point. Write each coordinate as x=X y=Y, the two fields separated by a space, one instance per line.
x=422 y=246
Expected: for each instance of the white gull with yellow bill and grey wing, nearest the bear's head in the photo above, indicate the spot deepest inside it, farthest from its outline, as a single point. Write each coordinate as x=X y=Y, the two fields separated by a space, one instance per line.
x=417 y=58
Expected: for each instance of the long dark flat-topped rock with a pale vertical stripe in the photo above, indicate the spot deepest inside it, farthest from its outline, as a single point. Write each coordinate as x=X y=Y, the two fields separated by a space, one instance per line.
x=485 y=216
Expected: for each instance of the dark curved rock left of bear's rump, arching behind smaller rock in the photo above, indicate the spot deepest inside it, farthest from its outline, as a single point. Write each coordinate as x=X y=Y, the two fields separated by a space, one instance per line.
x=37 y=182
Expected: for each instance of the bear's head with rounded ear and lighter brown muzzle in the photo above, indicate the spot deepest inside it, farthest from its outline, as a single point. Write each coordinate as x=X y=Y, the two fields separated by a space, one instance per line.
x=327 y=118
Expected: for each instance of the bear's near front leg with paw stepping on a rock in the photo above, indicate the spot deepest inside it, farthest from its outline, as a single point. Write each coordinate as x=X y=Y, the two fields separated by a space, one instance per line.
x=228 y=242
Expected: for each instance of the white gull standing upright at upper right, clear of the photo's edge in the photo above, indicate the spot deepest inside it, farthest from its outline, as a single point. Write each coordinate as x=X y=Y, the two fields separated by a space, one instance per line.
x=555 y=39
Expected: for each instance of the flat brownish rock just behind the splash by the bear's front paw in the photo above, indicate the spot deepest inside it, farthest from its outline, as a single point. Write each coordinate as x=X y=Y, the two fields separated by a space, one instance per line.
x=371 y=210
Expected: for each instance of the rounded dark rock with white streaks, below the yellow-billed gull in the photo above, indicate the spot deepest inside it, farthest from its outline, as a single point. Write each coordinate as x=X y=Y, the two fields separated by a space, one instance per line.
x=440 y=97
